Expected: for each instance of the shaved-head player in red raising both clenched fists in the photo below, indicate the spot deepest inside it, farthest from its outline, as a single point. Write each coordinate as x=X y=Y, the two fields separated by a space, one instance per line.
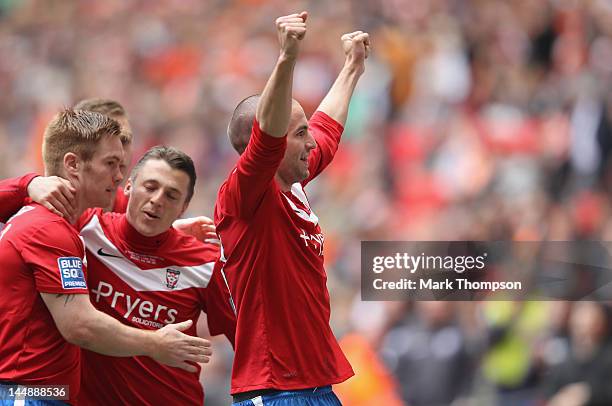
x=272 y=244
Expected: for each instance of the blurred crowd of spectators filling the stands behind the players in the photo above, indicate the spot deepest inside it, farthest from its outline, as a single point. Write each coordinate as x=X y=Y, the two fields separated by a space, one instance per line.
x=475 y=120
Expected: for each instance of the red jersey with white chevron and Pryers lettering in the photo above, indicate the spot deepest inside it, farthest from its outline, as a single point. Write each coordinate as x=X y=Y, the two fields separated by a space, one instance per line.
x=145 y=282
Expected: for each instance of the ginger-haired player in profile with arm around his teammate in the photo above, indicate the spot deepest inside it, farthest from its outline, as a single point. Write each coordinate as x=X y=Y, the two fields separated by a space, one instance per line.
x=43 y=287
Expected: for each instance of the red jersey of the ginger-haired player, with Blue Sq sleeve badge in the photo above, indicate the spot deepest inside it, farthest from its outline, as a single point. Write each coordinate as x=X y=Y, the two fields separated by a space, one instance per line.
x=39 y=252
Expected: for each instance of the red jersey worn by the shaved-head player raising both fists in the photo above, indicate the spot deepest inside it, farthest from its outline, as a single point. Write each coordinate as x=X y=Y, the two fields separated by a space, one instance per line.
x=273 y=252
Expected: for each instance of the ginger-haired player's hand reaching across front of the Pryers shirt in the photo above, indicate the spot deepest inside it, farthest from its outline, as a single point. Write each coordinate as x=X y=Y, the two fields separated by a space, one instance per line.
x=176 y=348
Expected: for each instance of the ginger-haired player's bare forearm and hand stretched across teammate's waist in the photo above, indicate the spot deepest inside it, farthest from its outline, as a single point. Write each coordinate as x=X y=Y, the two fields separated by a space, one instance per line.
x=81 y=324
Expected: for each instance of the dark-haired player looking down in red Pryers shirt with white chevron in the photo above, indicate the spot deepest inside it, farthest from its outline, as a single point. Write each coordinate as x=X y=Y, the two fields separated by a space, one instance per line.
x=145 y=273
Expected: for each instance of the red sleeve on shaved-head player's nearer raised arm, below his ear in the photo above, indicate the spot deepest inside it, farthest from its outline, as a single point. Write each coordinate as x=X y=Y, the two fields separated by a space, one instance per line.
x=248 y=182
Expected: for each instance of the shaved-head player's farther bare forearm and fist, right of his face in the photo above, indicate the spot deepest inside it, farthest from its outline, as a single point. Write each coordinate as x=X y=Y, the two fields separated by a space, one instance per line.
x=356 y=46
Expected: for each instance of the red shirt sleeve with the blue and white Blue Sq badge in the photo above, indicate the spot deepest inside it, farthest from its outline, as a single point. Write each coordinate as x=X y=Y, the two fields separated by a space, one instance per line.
x=55 y=254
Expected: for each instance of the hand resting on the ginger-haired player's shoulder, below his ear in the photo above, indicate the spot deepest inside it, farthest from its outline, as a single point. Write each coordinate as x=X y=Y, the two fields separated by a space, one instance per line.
x=55 y=193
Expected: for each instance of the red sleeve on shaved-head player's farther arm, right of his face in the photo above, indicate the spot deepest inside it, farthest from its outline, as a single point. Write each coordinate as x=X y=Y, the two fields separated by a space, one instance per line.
x=327 y=133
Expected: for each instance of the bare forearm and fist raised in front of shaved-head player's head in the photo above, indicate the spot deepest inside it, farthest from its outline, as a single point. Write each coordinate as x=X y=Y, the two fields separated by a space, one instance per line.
x=274 y=107
